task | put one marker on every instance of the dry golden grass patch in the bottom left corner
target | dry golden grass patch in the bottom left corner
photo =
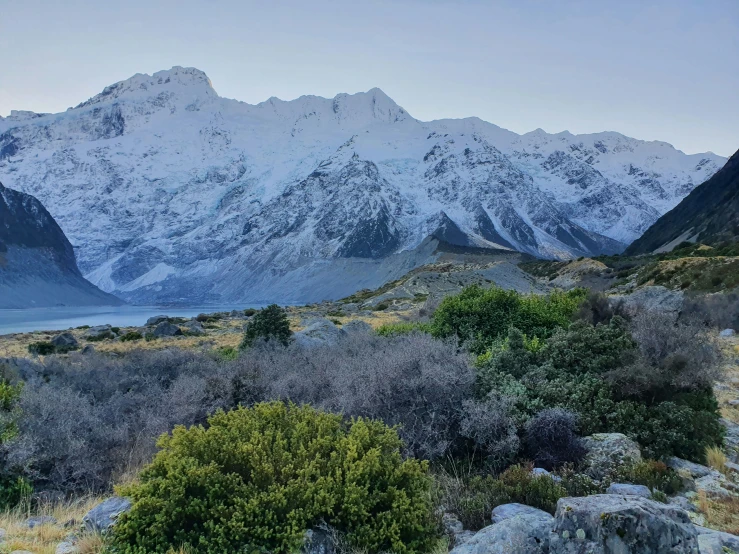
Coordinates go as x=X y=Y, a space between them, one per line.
x=43 y=539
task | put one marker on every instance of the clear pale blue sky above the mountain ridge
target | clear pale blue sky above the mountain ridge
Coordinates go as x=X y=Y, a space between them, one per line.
x=651 y=69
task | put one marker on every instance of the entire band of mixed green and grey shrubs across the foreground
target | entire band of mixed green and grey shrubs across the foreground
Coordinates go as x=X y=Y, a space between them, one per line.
x=494 y=381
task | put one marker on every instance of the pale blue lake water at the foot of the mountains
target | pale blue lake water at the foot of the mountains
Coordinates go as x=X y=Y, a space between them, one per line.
x=54 y=319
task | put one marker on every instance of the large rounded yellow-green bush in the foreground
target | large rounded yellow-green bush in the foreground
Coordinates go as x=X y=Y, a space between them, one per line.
x=257 y=478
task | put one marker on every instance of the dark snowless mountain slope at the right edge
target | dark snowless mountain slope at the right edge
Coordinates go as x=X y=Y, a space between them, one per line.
x=709 y=214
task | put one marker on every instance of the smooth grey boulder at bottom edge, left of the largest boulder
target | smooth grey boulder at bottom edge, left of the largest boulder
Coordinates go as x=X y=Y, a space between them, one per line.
x=526 y=533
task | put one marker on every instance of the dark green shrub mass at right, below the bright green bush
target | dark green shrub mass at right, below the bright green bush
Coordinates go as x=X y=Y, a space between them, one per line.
x=574 y=371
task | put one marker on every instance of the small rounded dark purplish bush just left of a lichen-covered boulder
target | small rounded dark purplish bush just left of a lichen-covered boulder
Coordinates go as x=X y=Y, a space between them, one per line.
x=551 y=440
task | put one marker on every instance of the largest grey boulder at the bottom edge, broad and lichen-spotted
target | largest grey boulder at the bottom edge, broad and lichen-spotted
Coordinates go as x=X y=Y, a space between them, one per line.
x=612 y=524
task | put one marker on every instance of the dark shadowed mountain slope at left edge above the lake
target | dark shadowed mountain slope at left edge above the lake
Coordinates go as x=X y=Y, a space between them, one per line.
x=37 y=265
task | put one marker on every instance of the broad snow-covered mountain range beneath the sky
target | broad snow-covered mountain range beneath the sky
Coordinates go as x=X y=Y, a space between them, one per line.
x=170 y=192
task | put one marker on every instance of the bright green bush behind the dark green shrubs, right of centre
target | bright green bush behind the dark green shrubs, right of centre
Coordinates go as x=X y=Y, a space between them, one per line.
x=480 y=316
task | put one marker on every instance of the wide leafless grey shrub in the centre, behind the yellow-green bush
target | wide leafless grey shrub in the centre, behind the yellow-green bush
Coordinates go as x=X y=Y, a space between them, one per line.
x=414 y=381
